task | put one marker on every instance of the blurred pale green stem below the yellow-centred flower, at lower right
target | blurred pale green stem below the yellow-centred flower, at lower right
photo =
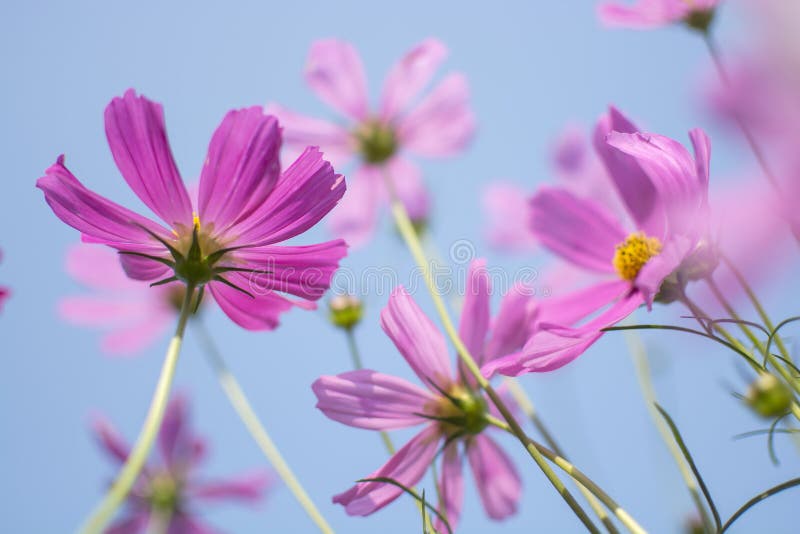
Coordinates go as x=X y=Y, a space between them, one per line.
x=639 y=355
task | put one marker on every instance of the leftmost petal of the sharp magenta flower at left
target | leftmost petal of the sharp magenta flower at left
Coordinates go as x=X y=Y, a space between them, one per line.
x=89 y=213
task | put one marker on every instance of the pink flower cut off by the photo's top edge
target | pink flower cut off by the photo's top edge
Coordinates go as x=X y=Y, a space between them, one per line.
x=646 y=14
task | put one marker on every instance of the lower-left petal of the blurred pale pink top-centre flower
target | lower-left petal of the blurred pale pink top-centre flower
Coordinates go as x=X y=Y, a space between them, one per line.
x=355 y=218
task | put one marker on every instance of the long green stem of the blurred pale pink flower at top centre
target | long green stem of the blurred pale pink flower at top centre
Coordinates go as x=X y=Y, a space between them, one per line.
x=406 y=229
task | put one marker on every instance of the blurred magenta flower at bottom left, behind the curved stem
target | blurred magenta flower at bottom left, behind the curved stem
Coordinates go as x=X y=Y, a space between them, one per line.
x=170 y=490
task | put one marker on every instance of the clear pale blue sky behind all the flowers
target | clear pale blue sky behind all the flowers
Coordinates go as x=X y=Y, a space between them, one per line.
x=533 y=67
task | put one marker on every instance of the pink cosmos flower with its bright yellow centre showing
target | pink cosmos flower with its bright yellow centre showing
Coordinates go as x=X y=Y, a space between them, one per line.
x=652 y=253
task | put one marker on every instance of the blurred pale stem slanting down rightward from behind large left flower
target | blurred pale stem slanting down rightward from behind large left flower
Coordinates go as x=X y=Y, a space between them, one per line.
x=251 y=421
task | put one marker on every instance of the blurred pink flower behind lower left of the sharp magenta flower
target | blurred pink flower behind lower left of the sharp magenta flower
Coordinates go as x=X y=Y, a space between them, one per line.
x=133 y=314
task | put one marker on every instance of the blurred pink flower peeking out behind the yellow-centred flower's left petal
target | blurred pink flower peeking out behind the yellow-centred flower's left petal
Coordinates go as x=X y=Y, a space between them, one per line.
x=577 y=168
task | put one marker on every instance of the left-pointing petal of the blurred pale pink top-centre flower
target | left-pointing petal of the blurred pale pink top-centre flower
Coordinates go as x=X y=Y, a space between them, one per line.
x=300 y=131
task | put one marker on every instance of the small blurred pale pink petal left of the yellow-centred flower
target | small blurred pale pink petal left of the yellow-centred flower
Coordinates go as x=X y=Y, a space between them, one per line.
x=507 y=210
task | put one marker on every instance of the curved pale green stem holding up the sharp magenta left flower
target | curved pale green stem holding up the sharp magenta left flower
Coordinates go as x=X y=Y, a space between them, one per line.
x=152 y=423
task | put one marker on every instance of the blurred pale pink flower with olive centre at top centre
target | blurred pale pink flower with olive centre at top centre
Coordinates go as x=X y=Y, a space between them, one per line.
x=440 y=124
